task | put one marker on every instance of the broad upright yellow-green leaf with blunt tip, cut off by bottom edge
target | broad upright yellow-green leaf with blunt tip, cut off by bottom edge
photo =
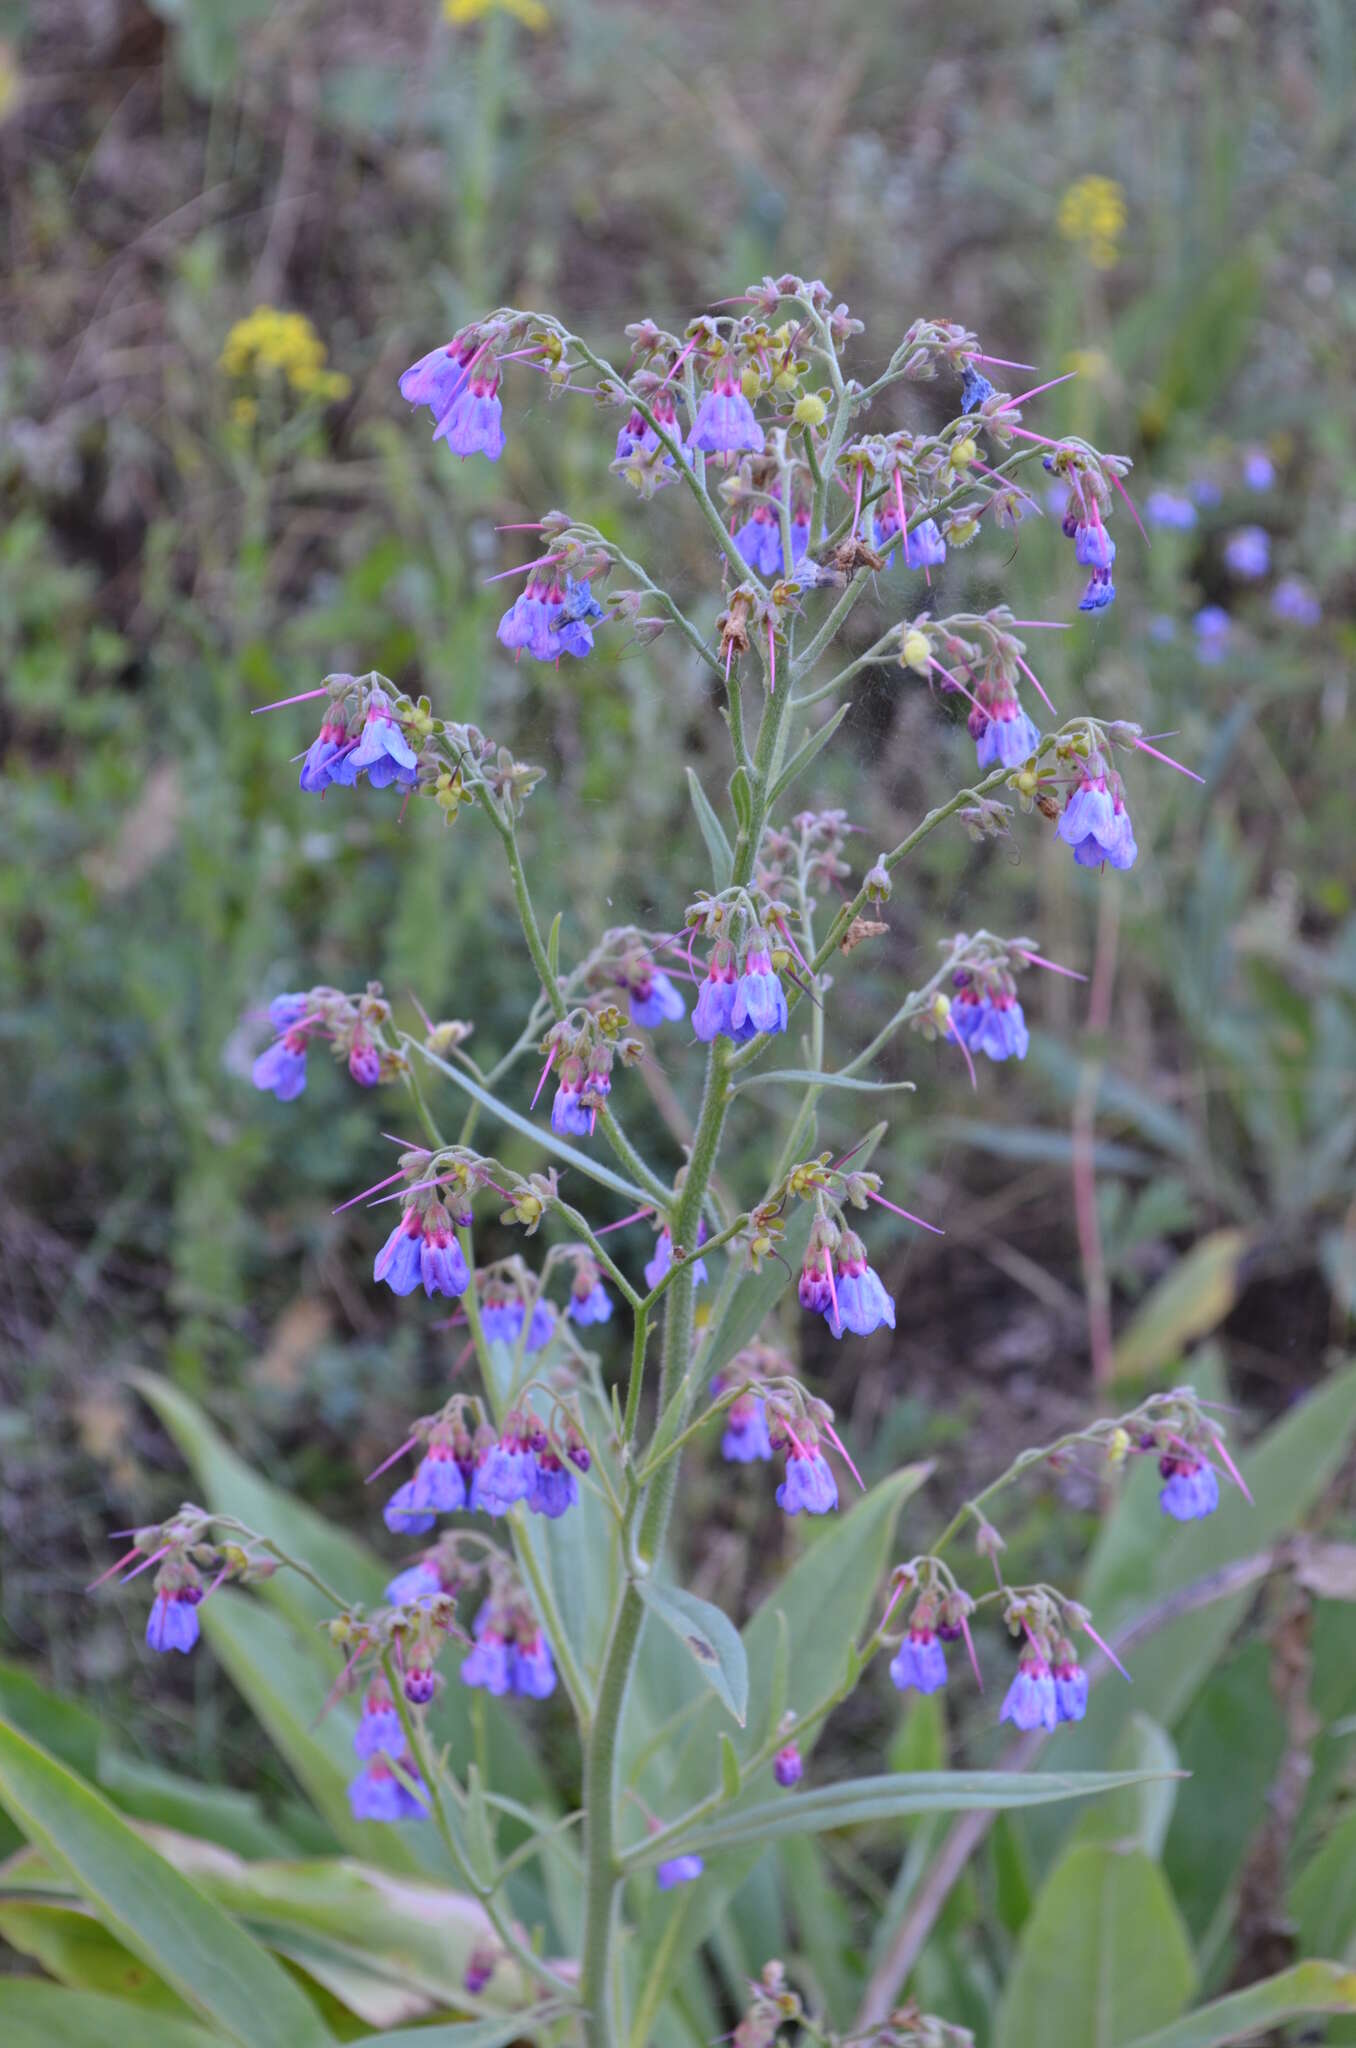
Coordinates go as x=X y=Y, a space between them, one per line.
x=1103 y=1955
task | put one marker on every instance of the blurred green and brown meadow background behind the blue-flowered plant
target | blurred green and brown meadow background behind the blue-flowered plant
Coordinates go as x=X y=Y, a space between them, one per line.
x=167 y=566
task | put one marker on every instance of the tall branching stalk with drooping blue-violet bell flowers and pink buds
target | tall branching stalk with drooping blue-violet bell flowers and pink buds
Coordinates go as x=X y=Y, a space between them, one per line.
x=808 y=505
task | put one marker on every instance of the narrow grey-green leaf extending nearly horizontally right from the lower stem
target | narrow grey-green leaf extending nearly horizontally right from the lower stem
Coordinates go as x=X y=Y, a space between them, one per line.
x=872 y=1801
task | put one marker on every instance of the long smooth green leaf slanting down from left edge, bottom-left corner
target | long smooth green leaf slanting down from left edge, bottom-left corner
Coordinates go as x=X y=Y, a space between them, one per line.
x=198 y=1949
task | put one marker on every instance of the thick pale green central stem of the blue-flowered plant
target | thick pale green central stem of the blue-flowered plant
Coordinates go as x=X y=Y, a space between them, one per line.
x=648 y=1508
